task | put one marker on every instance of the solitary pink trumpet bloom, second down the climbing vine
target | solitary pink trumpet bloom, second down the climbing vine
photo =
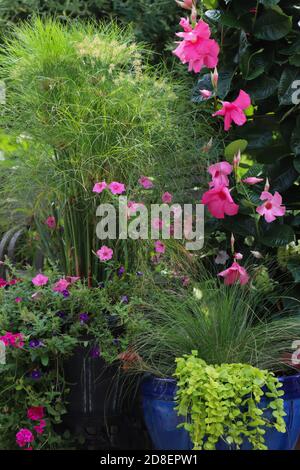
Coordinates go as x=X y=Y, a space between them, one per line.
x=235 y=111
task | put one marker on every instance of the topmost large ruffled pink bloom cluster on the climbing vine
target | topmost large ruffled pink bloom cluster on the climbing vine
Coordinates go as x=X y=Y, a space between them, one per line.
x=196 y=48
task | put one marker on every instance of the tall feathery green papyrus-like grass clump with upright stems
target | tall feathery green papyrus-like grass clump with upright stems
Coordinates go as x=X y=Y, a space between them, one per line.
x=93 y=110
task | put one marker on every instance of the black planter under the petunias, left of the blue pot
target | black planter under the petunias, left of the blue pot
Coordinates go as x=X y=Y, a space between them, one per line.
x=104 y=407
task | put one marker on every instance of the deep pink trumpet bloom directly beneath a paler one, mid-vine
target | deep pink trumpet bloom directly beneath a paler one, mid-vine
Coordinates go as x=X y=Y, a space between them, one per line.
x=219 y=202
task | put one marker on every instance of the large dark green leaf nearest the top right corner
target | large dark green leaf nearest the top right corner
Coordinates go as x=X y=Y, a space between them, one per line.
x=272 y=26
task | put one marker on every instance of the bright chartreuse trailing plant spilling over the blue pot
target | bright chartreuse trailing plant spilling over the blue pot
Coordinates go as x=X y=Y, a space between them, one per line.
x=227 y=402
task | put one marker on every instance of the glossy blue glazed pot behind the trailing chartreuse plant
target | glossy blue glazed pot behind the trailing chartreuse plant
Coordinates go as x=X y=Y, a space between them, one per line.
x=162 y=420
